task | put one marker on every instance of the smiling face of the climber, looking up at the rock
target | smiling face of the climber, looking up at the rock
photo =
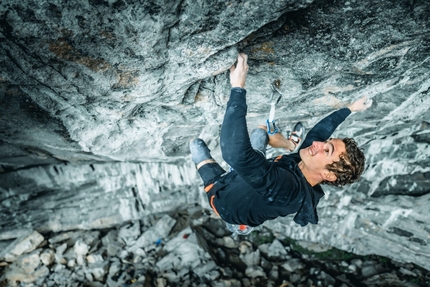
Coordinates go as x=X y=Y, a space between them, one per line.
x=317 y=156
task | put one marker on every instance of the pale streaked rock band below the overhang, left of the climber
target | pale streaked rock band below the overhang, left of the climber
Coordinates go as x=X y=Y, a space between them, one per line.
x=67 y=197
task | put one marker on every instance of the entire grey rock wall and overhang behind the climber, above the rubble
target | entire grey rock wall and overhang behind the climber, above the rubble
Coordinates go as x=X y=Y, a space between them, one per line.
x=106 y=81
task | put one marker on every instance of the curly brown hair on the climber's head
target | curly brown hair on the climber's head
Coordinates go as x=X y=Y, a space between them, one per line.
x=350 y=166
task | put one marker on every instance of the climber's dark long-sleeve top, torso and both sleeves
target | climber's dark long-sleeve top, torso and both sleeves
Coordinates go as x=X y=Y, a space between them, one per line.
x=259 y=189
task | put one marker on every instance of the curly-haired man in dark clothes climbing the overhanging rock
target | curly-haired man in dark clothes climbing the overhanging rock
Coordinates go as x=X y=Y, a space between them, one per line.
x=258 y=189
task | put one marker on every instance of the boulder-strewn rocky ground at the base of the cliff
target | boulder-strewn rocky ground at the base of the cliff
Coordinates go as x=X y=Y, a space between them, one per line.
x=191 y=247
